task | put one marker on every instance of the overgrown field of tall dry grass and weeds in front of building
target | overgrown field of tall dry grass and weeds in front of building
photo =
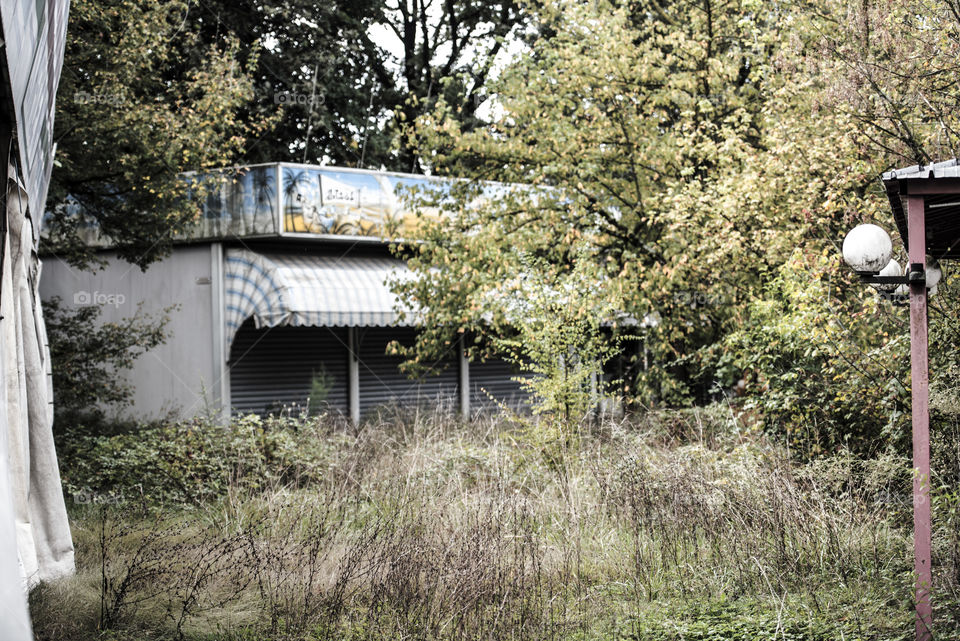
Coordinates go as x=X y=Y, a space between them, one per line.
x=676 y=526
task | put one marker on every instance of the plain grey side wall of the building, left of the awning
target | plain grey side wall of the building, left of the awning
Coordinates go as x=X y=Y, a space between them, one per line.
x=183 y=375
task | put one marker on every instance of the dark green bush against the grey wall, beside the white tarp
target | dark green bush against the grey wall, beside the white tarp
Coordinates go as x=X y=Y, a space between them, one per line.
x=87 y=358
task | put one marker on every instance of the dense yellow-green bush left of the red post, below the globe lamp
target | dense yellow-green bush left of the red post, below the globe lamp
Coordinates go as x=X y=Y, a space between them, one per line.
x=824 y=362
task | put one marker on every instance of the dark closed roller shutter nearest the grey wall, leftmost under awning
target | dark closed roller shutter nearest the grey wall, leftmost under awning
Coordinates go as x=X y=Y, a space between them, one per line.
x=272 y=369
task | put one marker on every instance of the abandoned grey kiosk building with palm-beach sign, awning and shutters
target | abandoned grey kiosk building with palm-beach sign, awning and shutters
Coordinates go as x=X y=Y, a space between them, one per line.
x=280 y=298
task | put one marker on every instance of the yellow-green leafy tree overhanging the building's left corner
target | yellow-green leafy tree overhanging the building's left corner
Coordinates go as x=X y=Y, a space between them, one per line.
x=141 y=100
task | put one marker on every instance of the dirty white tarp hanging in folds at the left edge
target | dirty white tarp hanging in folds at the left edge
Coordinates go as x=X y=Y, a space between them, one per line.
x=33 y=517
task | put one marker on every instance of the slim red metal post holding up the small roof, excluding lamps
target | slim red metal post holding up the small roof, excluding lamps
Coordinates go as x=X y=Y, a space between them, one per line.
x=919 y=366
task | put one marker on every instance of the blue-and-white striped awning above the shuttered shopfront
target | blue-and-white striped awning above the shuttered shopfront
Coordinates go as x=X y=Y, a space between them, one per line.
x=317 y=291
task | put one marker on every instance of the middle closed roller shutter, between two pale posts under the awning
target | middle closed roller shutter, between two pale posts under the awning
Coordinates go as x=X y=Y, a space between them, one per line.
x=383 y=384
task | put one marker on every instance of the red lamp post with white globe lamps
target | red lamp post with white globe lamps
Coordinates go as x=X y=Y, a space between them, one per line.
x=867 y=249
